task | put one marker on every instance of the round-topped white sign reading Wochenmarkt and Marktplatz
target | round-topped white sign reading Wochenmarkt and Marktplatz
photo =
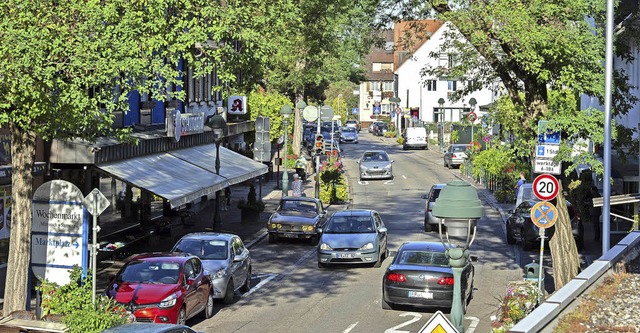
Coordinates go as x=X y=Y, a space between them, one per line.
x=60 y=231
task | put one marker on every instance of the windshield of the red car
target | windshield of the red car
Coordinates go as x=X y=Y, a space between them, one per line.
x=150 y=272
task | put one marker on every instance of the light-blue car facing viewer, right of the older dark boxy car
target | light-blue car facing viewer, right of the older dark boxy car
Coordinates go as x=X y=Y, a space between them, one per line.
x=353 y=236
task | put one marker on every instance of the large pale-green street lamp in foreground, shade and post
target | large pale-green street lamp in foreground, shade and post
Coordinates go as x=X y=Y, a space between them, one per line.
x=458 y=209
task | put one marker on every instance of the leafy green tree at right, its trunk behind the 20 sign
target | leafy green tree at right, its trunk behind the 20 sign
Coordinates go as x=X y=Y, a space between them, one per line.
x=530 y=48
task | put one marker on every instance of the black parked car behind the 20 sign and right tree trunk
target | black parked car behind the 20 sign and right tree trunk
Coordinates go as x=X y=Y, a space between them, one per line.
x=521 y=228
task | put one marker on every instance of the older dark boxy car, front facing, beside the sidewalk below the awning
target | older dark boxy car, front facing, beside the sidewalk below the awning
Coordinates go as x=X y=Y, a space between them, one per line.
x=297 y=217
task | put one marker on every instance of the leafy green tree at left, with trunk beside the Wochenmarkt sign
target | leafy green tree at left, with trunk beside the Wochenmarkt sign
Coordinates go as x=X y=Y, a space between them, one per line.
x=54 y=53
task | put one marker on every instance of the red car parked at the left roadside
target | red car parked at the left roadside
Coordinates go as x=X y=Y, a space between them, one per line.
x=163 y=287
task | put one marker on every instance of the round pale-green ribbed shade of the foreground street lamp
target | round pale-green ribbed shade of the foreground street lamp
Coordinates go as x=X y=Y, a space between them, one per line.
x=458 y=200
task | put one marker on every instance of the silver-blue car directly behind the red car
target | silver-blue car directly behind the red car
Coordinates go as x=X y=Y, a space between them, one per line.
x=224 y=256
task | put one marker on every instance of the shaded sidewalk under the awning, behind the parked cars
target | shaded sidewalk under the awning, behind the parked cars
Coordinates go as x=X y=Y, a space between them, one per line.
x=202 y=220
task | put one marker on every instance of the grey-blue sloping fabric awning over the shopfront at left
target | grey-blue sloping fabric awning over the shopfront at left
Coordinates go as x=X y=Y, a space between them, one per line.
x=184 y=175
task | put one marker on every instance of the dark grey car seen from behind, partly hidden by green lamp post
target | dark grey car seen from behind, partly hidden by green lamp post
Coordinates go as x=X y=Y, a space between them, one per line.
x=420 y=276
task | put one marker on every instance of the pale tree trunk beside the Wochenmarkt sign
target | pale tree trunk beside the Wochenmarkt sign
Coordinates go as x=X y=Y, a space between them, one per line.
x=23 y=146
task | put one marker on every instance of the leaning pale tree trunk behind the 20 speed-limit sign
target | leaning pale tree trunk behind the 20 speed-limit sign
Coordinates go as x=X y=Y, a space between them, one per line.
x=564 y=252
